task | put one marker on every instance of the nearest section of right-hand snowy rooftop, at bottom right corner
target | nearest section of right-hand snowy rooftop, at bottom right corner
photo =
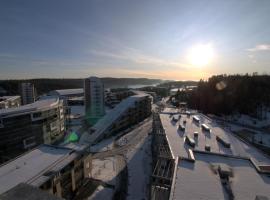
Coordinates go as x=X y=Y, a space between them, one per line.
x=201 y=180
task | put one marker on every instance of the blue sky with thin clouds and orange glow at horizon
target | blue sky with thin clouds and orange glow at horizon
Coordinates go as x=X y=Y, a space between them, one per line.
x=127 y=38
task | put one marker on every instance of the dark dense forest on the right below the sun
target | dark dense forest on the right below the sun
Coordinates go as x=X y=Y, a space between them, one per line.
x=227 y=94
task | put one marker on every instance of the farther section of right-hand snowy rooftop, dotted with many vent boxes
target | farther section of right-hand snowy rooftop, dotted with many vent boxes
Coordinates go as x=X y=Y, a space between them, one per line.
x=179 y=147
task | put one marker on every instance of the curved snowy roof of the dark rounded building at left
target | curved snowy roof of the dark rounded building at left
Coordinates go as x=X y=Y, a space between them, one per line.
x=38 y=105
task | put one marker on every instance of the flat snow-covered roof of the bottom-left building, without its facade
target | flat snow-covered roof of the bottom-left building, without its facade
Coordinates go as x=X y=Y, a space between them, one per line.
x=31 y=167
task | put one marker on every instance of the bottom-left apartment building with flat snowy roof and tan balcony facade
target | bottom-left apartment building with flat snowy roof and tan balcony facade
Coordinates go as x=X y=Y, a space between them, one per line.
x=54 y=169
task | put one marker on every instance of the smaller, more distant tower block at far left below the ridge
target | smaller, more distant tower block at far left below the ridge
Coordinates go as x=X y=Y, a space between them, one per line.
x=28 y=93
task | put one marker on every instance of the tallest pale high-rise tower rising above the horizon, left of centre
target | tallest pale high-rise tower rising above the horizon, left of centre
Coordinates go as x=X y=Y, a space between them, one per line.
x=94 y=99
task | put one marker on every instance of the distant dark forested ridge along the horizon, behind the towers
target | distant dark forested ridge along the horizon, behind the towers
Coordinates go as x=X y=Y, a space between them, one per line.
x=46 y=85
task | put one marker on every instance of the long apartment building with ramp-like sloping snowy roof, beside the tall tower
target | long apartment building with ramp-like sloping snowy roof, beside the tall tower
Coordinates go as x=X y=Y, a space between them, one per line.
x=127 y=113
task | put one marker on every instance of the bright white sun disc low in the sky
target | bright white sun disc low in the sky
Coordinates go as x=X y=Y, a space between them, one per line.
x=200 y=55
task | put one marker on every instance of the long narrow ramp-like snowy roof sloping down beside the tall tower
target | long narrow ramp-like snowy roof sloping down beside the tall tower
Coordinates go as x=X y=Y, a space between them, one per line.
x=104 y=123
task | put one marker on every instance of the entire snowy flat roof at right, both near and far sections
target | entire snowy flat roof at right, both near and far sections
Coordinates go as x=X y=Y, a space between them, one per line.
x=196 y=180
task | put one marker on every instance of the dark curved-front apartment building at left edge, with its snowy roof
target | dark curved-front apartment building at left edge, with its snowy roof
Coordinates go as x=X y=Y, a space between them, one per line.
x=23 y=128
